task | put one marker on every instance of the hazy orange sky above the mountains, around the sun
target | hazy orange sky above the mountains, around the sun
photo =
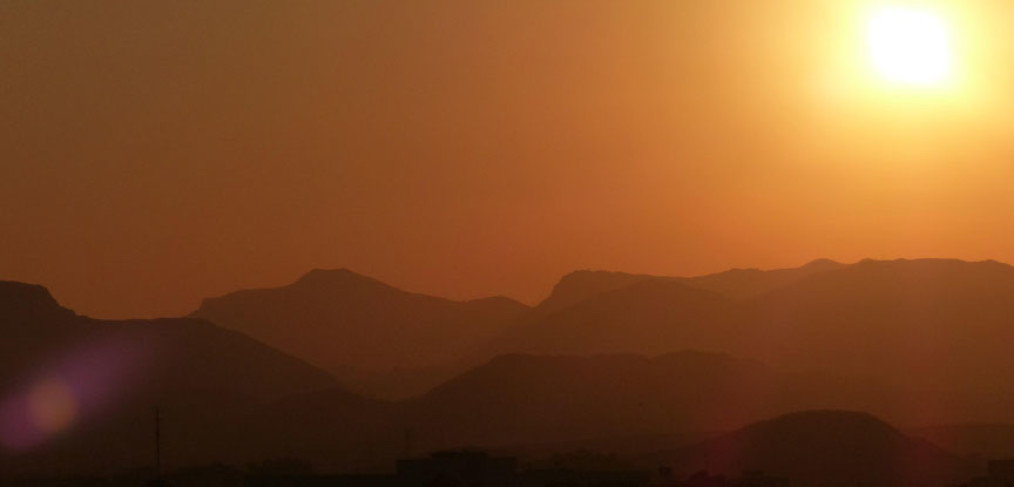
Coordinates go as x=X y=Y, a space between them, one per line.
x=158 y=153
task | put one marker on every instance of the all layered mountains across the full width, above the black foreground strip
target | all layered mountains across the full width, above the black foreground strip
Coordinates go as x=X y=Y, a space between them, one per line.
x=346 y=372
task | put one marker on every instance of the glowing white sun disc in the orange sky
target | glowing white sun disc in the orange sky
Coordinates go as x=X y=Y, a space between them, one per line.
x=910 y=46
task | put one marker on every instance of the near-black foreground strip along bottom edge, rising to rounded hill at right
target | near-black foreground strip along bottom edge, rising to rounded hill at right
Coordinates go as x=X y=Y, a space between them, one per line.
x=813 y=448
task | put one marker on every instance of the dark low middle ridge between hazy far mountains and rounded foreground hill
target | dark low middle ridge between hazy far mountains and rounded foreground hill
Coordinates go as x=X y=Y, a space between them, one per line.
x=531 y=405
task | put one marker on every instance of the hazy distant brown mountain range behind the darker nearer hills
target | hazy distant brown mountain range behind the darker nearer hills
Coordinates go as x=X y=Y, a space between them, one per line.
x=934 y=326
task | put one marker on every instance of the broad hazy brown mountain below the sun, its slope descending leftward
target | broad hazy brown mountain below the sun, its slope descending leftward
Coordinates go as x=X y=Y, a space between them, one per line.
x=939 y=327
